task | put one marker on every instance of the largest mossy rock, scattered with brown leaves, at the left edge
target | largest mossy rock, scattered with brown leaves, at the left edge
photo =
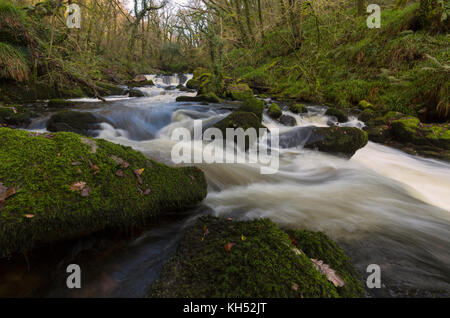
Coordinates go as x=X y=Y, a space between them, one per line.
x=66 y=185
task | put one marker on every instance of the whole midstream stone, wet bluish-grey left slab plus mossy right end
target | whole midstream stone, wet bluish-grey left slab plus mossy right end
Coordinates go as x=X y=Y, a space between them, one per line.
x=343 y=141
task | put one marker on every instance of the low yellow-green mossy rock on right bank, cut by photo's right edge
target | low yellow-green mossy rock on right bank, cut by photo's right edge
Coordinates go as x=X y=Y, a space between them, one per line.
x=411 y=130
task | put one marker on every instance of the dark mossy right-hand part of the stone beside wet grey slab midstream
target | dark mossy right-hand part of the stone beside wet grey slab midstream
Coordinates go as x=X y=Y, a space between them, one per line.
x=337 y=140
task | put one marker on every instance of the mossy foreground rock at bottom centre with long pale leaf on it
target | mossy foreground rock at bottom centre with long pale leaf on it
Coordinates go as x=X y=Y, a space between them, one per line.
x=256 y=259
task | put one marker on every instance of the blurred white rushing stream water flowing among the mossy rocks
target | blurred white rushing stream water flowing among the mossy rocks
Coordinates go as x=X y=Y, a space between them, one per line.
x=383 y=206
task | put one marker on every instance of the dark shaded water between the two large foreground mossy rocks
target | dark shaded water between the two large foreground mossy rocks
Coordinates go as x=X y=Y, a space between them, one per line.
x=113 y=264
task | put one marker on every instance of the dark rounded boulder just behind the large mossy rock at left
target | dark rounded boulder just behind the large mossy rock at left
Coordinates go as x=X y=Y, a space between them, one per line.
x=70 y=121
